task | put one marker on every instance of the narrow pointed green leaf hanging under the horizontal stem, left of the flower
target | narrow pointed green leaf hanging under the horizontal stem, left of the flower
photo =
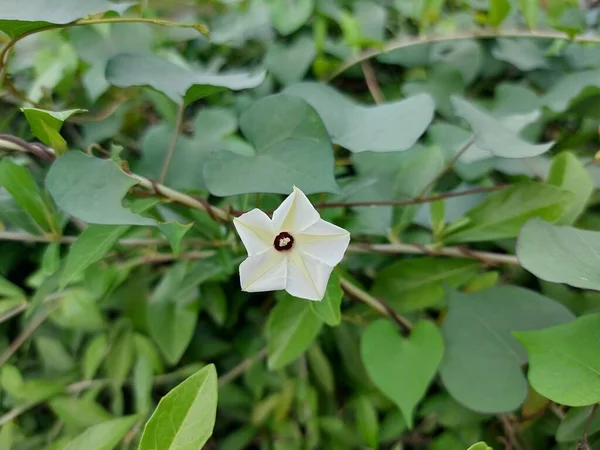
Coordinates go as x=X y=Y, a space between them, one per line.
x=90 y=247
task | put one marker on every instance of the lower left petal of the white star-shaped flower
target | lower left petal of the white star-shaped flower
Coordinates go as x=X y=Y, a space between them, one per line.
x=266 y=271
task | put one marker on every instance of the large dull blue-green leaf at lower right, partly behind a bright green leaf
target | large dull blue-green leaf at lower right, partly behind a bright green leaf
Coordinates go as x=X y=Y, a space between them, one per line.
x=482 y=363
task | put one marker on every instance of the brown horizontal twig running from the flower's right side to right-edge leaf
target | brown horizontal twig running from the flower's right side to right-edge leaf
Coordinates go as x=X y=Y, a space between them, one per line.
x=415 y=249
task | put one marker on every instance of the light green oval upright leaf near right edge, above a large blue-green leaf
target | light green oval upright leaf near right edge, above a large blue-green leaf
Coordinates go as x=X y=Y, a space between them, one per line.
x=568 y=172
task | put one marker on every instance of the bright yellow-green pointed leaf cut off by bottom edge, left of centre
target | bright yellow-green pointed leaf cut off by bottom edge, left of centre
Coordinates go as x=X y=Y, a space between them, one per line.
x=185 y=417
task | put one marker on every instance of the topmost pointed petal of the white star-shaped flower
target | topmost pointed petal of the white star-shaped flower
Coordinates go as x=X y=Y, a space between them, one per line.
x=295 y=214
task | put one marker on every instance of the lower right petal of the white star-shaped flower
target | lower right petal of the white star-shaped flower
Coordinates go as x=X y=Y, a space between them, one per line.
x=307 y=277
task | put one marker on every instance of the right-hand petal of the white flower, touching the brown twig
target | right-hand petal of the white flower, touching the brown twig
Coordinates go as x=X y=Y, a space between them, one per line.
x=324 y=241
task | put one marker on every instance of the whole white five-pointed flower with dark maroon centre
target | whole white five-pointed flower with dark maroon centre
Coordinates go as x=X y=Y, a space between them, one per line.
x=295 y=251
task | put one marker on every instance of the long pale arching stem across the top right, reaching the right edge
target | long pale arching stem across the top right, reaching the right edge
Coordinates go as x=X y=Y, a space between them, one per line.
x=479 y=34
